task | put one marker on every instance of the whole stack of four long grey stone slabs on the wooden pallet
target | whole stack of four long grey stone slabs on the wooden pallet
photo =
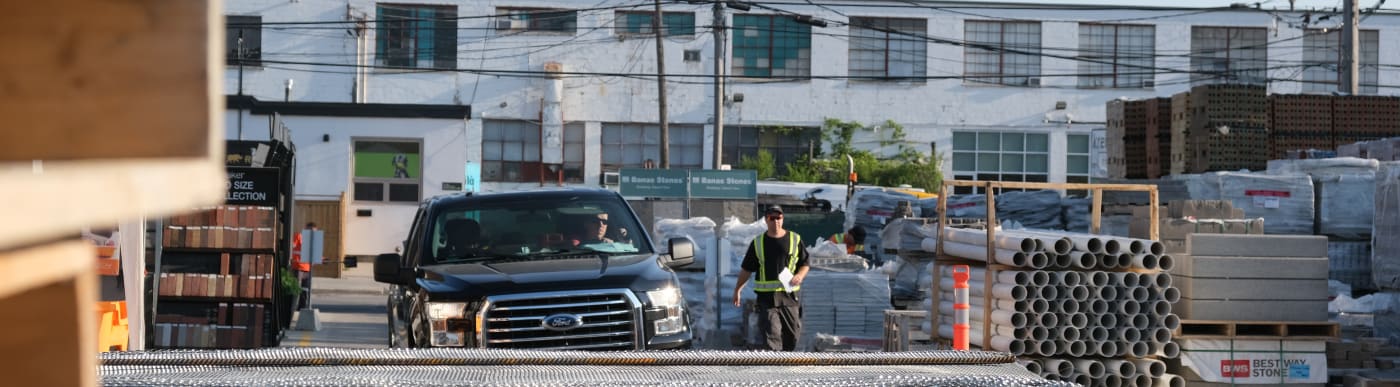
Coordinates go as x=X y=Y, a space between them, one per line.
x=1254 y=278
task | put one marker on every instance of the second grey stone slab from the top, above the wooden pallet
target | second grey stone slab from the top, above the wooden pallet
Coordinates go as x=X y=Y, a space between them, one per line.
x=1251 y=267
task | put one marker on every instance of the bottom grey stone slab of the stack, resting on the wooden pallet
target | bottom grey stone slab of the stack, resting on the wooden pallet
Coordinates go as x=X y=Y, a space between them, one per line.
x=1248 y=311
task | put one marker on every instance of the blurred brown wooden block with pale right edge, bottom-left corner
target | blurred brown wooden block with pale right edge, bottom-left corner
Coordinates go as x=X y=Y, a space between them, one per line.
x=51 y=330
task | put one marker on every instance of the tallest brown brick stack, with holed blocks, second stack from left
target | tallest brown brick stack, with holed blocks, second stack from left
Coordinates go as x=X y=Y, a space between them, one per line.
x=1227 y=128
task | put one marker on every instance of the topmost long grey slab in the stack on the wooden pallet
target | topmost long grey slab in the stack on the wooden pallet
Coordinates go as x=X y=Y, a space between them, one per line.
x=1256 y=246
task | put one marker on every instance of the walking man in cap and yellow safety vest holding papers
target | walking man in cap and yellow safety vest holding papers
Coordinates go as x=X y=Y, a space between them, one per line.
x=775 y=259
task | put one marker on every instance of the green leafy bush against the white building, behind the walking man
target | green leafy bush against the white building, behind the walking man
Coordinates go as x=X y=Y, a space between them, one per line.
x=906 y=166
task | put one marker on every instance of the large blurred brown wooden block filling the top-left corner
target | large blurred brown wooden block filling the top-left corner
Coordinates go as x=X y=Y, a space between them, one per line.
x=132 y=79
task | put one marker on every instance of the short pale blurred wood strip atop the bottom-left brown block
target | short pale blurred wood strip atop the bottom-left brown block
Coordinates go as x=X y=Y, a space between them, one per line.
x=29 y=269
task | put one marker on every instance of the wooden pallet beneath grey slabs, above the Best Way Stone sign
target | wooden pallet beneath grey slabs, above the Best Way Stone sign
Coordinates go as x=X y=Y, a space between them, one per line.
x=1293 y=330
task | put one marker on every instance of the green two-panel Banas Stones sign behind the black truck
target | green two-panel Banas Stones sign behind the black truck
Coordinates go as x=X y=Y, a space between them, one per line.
x=703 y=184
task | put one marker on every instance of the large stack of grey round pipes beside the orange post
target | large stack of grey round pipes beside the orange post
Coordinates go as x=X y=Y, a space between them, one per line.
x=1081 y=308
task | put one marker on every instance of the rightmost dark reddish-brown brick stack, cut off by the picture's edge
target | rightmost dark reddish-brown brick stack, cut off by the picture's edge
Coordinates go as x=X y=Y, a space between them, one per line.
x=1359 y=118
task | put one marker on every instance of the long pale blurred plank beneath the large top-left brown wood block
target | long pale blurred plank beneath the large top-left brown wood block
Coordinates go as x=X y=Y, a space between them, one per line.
x=69 y=196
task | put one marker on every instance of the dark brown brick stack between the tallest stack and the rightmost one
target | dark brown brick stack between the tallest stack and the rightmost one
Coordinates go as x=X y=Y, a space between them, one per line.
x=1300 y=123
